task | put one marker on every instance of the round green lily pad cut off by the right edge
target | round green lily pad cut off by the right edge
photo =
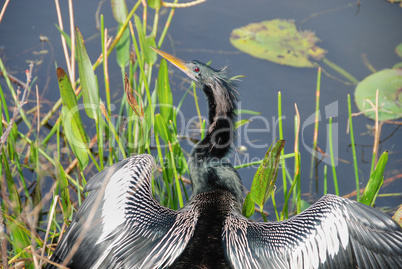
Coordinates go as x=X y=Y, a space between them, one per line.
x=389 y=84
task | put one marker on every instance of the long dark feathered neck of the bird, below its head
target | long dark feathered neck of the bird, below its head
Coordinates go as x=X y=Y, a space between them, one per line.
x=209 y=166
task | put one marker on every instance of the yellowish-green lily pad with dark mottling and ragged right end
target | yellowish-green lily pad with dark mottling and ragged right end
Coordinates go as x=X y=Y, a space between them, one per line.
x=278 y=41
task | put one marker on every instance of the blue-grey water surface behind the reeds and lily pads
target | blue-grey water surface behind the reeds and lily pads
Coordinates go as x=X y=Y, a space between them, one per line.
x=202 y=33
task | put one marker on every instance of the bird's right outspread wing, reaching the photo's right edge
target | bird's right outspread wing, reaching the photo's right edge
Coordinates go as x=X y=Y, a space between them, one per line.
x=333 y=233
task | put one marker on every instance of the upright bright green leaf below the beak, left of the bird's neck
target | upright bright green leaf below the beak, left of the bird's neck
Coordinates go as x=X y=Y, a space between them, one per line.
x=164 y=93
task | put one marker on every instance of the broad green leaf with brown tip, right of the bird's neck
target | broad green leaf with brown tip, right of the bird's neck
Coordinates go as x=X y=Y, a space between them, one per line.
x=265 y=177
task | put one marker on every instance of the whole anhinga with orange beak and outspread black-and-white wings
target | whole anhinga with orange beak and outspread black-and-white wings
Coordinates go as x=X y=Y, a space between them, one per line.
x=121 y=225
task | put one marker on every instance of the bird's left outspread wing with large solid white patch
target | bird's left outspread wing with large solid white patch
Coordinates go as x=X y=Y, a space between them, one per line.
x=121 y=225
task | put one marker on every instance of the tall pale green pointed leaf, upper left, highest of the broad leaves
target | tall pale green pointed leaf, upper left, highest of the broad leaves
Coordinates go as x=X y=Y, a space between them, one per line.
x=89 y=85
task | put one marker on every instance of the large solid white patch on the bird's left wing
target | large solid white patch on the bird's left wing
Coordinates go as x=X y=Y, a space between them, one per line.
x=114 y=199
